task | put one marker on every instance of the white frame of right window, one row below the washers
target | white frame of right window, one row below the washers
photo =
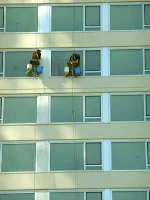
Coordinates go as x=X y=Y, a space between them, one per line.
x=129 y=94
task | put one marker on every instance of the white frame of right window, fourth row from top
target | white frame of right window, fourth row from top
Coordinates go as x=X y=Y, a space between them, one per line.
x=134 y=141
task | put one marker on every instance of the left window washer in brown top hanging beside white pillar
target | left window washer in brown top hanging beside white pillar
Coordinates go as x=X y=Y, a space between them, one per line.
x=35 y=62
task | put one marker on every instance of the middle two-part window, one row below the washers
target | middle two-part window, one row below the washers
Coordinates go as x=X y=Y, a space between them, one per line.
x=73 y=109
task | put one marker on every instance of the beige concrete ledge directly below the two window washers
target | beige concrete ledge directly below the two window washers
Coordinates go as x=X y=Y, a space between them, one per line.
x=62 y=85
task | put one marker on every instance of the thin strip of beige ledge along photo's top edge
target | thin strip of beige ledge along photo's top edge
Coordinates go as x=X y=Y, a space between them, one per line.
x=63 y=1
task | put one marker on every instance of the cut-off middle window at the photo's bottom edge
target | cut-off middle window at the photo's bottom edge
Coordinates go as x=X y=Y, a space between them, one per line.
x=76 y=195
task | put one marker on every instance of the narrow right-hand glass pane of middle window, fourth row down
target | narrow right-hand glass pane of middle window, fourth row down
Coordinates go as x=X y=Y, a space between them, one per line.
x=93 y=153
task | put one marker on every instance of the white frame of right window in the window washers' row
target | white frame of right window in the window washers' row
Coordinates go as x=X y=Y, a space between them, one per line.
x=133 y=48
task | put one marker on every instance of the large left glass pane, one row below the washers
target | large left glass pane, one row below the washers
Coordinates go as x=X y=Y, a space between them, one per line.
x=20 y=109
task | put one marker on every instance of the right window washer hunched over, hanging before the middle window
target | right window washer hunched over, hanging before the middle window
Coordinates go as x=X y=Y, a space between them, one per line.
x=73 y=63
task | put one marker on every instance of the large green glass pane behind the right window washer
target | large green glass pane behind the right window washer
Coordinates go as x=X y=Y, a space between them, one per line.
x=60 y=59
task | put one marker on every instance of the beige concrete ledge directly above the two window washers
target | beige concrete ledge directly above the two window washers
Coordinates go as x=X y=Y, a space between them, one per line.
x=75 y=40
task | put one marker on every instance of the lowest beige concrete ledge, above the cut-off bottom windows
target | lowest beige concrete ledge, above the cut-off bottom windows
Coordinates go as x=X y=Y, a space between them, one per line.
x=84 y=180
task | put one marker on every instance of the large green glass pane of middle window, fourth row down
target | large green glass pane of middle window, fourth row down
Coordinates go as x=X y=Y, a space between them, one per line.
x=66 y=157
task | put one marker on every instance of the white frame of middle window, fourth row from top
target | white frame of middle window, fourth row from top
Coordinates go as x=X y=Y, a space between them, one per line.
x=84 y=154
